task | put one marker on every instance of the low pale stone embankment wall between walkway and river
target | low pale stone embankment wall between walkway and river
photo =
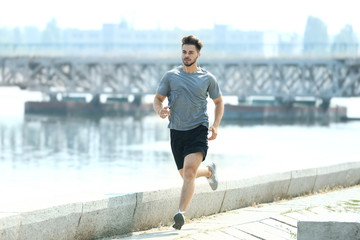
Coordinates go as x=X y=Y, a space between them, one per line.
x=125 y=213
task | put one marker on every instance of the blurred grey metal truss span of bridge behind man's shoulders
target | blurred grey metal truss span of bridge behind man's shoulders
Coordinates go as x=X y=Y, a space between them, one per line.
x=284 y=79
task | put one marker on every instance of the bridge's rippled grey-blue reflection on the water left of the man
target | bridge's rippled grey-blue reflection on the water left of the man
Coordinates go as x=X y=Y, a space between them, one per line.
x=45 y=140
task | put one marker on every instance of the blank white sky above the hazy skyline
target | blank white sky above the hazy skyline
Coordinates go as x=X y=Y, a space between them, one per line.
x=265 y=15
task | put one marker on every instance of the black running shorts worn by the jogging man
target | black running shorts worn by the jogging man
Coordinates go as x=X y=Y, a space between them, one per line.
x=184 y=143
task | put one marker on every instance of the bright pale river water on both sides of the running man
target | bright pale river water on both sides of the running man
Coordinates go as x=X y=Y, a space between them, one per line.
x=43 y=156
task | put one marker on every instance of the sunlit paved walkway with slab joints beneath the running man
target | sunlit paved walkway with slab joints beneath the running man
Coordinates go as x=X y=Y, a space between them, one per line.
x=277 y=220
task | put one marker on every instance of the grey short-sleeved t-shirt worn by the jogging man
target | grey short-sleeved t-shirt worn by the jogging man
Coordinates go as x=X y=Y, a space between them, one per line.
x=187 y=94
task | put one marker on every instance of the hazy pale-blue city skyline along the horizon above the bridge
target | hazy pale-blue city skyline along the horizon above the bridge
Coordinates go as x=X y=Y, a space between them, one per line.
x=222 y=41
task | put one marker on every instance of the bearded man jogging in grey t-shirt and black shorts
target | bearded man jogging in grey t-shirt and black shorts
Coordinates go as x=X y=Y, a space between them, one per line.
x=187 y=88
